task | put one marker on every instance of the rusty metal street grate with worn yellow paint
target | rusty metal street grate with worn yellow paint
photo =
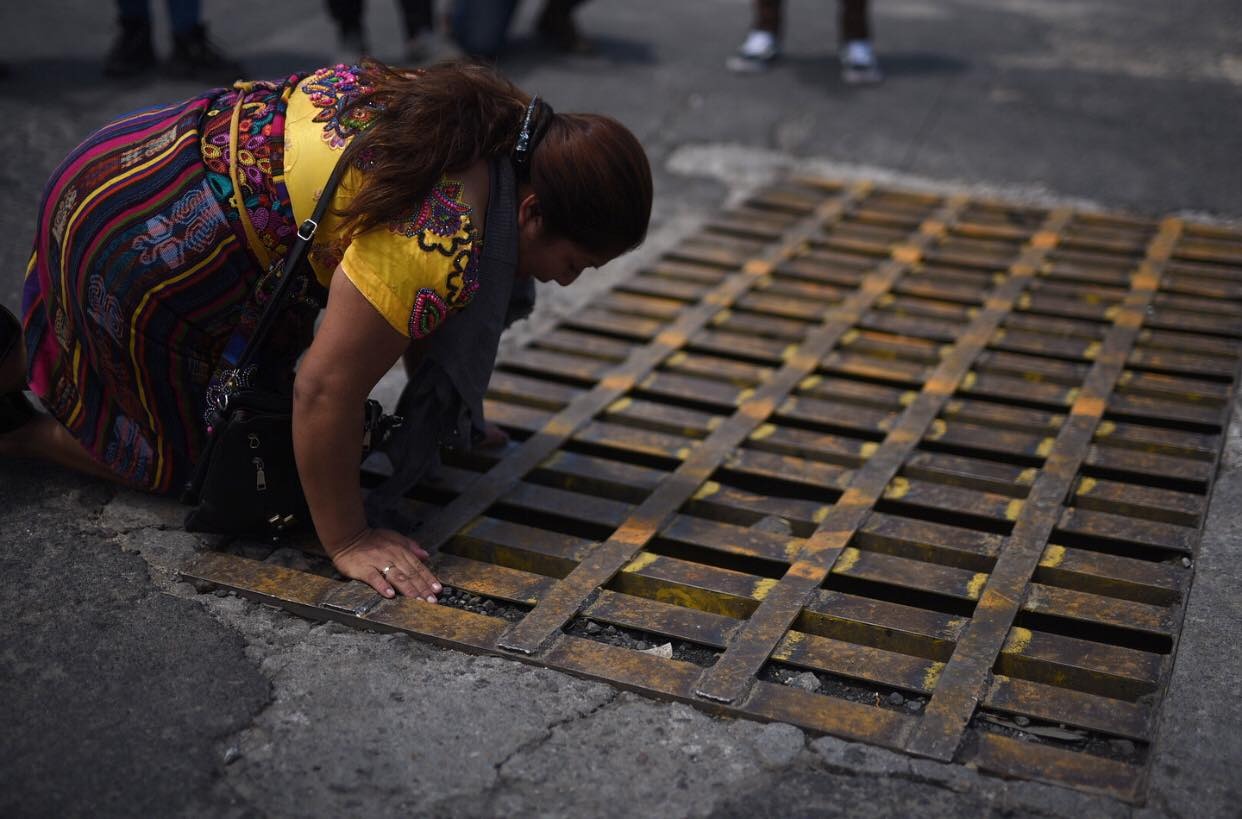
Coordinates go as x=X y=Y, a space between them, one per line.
x=950 y=457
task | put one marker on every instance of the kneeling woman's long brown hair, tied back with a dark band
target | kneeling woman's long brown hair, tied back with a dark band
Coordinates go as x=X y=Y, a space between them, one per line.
x=589 y=172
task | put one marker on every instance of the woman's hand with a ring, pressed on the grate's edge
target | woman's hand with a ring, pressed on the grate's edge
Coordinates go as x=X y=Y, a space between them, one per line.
x=373 y=551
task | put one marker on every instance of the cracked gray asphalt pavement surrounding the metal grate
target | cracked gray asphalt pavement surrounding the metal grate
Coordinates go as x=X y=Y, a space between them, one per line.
x=125 y=693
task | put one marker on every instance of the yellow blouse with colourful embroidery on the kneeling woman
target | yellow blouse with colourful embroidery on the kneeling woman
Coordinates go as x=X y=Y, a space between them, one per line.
x=415 y=272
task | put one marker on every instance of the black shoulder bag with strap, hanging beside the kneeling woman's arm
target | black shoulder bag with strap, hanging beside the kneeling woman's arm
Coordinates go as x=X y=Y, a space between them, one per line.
x=247 y=480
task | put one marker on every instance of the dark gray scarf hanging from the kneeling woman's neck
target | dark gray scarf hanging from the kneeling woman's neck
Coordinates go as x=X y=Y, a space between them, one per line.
x=443 y=406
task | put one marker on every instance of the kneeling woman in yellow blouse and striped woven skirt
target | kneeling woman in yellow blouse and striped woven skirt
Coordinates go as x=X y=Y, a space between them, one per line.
x=155 y=237
